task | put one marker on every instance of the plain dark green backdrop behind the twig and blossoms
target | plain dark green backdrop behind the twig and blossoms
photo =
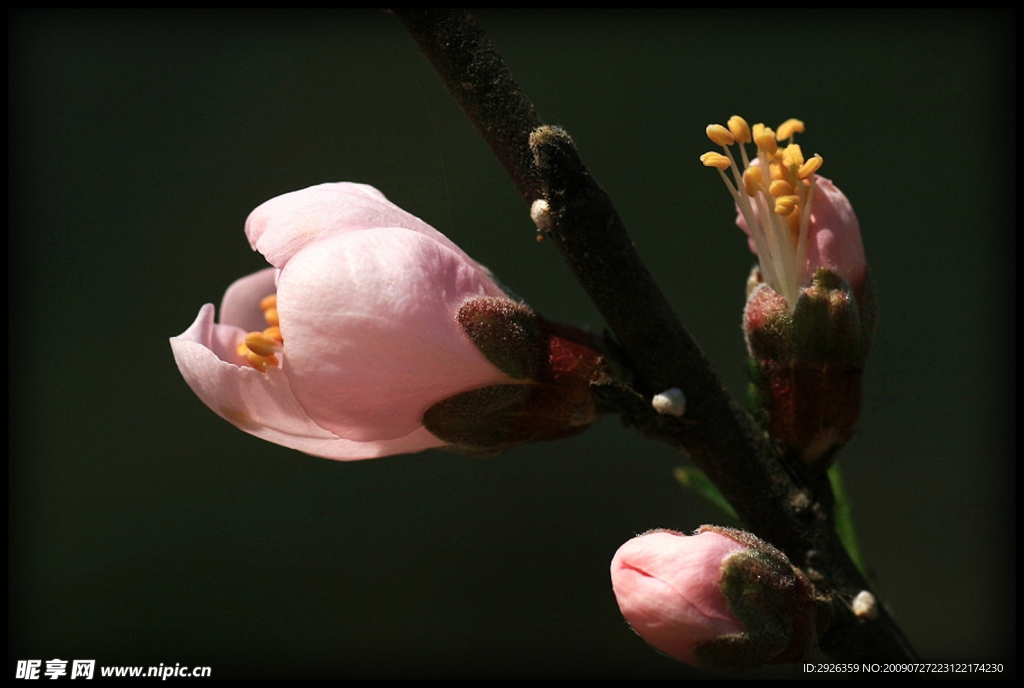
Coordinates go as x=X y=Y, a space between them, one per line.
x=145 y=530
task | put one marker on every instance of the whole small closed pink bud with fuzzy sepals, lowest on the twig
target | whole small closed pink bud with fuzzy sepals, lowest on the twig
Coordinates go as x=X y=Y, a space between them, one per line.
x=721 y=599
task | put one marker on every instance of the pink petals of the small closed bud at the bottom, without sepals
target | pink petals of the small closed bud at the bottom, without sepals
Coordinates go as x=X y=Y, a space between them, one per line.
x=668 y=588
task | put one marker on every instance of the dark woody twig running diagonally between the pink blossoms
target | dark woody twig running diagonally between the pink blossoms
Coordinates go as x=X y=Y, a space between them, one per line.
x=777 y=500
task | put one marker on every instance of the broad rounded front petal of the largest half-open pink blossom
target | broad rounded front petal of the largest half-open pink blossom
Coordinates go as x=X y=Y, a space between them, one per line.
x=371 y=340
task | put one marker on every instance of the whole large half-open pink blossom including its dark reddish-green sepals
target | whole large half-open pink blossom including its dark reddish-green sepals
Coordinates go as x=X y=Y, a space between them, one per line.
x=374 y=334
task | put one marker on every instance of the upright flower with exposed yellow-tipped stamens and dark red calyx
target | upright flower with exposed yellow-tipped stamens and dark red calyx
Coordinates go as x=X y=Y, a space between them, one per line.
x=810 y=312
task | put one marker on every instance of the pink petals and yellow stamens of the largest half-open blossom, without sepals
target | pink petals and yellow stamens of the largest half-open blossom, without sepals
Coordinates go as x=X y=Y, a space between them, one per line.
x=362 y=338
